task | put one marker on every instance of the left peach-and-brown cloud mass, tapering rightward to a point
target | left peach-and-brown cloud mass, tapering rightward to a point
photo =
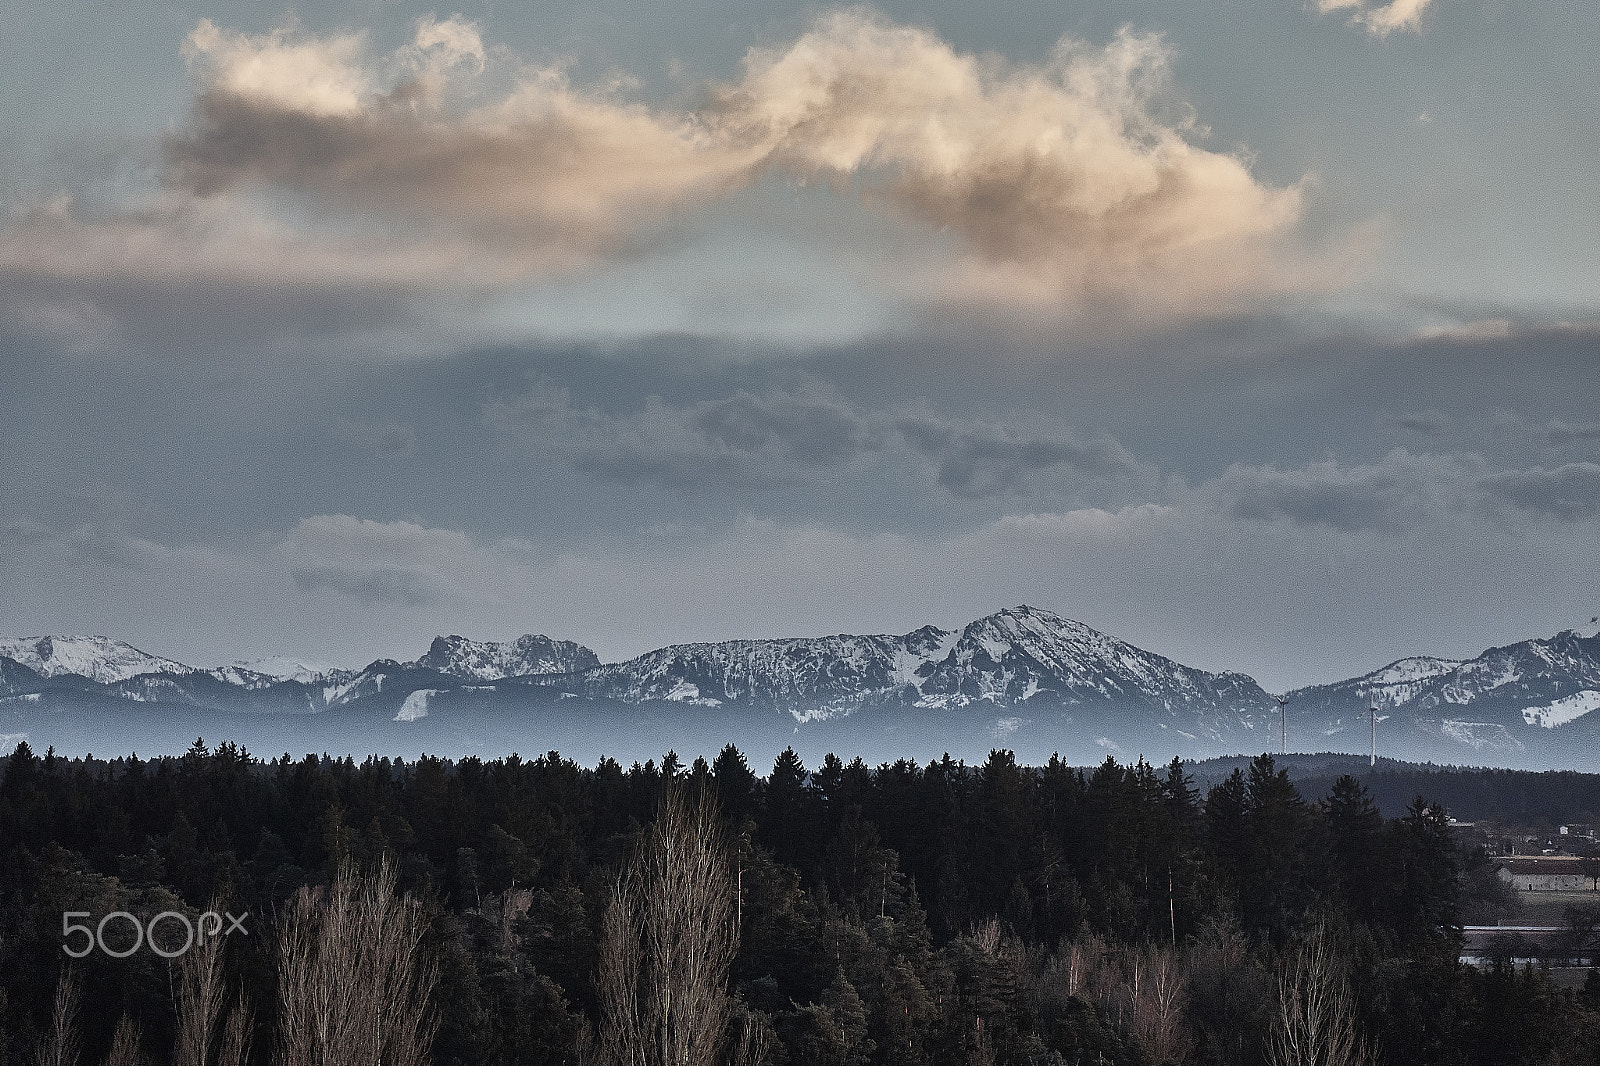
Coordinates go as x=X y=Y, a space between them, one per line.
x=550 y=172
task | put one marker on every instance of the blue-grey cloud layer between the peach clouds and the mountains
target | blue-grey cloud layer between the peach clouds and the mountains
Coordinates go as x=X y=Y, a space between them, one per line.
x=1266 y=511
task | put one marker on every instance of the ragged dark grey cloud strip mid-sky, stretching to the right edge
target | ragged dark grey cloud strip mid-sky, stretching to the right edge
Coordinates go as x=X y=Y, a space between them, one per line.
x=793 y=439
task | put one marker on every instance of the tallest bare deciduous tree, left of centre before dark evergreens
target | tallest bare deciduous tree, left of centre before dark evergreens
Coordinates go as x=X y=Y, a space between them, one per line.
x=668 y=944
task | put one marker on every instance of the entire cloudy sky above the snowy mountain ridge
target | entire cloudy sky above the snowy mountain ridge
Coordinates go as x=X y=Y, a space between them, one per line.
x=1260 y=334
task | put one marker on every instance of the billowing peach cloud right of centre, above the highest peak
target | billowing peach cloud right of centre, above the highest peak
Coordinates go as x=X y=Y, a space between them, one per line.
x=1076 y=178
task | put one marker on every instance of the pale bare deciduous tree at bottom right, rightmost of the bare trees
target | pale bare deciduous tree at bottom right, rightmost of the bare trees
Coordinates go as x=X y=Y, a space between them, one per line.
x=1316 y=1011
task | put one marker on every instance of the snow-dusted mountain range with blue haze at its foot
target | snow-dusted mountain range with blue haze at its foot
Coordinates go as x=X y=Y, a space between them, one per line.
x=1022 y=678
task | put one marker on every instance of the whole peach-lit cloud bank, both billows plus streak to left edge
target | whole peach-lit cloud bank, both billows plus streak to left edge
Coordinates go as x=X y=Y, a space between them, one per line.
x=319 y=186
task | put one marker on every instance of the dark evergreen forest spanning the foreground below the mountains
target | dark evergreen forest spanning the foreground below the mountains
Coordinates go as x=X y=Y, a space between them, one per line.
x=900 y=915
